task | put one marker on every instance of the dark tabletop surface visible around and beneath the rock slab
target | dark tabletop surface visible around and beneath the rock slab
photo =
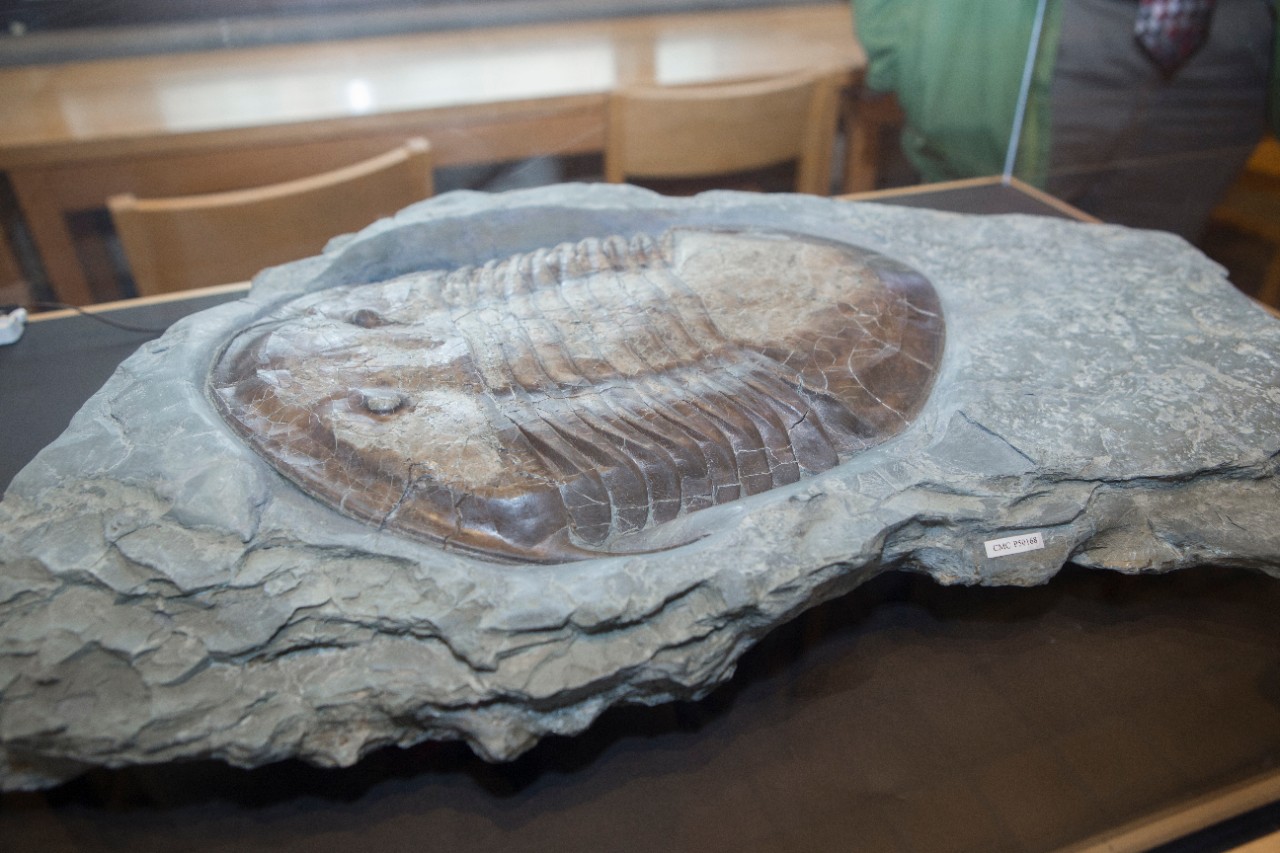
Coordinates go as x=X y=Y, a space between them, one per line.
x=902 y=718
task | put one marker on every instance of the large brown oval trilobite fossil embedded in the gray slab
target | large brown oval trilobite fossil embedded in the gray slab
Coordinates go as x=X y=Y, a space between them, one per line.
x=564 y=404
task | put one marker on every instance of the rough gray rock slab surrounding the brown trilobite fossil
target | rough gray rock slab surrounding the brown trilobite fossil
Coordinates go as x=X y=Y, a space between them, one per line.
x=167 y=595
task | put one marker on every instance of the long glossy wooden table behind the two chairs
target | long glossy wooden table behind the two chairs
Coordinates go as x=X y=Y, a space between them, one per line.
x=71 y=135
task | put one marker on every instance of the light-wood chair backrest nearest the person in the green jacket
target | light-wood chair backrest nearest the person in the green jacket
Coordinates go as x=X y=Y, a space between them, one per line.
x=680 y=133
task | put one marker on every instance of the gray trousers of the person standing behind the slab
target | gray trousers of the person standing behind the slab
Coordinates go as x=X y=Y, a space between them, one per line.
x=1136 y=149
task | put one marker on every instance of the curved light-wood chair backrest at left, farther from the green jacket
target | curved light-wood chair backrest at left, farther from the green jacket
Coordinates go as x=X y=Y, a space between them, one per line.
x=196 y=241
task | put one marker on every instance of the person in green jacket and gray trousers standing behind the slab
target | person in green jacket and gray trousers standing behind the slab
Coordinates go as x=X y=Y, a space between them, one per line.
x=1114 y=126
